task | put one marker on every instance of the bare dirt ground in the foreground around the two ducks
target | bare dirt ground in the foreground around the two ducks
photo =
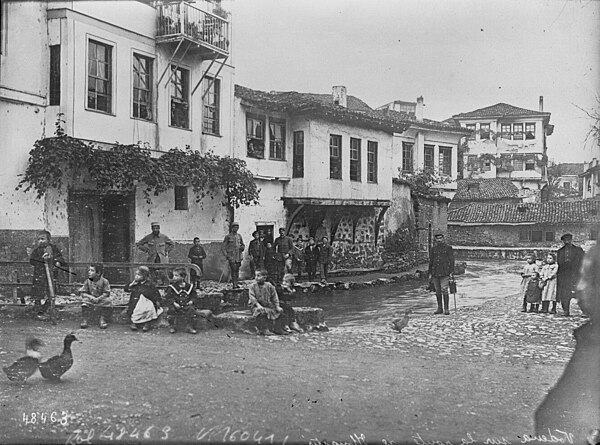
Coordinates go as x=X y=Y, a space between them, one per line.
x=220 y=386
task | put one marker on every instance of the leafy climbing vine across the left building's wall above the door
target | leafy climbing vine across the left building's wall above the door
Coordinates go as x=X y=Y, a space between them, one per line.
x=55 y=161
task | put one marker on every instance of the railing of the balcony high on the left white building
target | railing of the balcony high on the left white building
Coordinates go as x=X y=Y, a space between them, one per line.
x=182 y=19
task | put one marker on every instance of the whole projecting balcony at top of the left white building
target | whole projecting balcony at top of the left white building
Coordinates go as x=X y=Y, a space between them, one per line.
x=177 y=21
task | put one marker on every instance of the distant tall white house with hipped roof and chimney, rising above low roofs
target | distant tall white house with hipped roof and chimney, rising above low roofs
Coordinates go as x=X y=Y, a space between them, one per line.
x=507 y=142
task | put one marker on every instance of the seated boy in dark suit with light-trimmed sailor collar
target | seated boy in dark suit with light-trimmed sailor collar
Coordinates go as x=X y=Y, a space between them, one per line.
x=180 y=301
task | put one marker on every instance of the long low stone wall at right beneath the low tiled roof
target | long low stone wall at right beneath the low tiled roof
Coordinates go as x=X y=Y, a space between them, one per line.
x=508 y=236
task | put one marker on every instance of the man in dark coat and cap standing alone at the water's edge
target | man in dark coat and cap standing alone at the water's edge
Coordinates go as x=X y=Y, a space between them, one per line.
x=441 y=268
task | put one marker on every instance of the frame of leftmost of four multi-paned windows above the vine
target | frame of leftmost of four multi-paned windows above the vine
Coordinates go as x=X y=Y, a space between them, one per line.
x=109 y=47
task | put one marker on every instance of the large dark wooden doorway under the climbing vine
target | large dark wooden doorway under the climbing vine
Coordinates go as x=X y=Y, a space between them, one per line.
x=100 y=230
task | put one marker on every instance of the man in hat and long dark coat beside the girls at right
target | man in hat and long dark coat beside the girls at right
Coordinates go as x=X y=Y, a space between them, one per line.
x=569 y=259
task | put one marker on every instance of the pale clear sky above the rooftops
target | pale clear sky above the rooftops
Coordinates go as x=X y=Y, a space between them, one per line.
x=460 y=55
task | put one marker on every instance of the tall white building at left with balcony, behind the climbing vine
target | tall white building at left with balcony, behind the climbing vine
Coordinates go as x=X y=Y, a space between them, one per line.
x=128 y=72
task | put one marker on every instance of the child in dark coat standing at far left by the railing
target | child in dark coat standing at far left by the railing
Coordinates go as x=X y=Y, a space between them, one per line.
x=44 y=253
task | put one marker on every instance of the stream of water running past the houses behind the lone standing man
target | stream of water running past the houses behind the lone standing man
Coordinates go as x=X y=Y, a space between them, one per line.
x=483 y=280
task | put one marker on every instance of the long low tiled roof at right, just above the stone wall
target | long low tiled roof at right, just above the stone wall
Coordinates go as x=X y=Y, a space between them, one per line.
x=559 y=212
